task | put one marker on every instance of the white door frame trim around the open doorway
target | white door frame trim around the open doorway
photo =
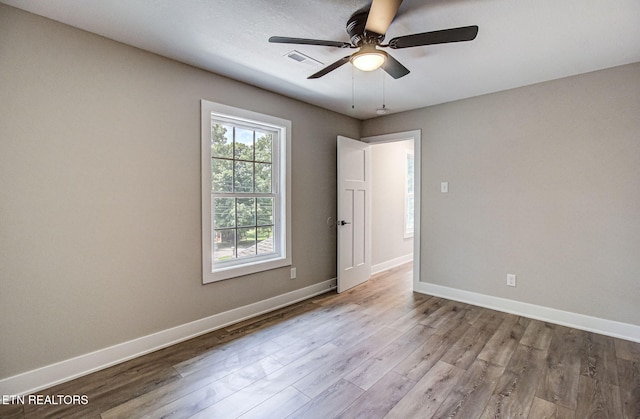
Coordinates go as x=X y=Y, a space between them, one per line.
x=414 y=135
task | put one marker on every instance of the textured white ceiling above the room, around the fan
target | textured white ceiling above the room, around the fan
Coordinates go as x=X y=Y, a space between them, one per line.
x=519 y=43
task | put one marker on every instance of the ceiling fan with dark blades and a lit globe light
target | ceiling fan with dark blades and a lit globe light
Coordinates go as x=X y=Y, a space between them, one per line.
x=367 y=29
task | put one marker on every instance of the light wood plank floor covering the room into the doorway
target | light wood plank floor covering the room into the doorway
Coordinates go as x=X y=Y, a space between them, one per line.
x=376 y=351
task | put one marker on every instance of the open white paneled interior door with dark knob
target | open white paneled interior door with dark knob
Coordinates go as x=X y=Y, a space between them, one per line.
x=354 y=206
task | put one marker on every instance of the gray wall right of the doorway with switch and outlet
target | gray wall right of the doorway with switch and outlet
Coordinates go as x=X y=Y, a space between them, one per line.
x=544 y=182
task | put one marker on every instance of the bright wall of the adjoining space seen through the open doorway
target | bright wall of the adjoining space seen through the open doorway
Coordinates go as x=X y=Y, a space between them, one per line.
x=388 y=161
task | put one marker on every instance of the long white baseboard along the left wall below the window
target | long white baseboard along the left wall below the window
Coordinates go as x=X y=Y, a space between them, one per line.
x=50 y=375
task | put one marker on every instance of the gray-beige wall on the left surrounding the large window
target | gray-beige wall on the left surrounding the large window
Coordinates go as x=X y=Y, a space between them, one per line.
x=100 y=193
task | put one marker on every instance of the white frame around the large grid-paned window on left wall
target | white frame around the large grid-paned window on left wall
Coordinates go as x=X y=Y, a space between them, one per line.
x=282 y=182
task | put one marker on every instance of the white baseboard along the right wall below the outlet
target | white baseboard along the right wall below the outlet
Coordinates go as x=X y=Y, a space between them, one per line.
x=565 y=318
